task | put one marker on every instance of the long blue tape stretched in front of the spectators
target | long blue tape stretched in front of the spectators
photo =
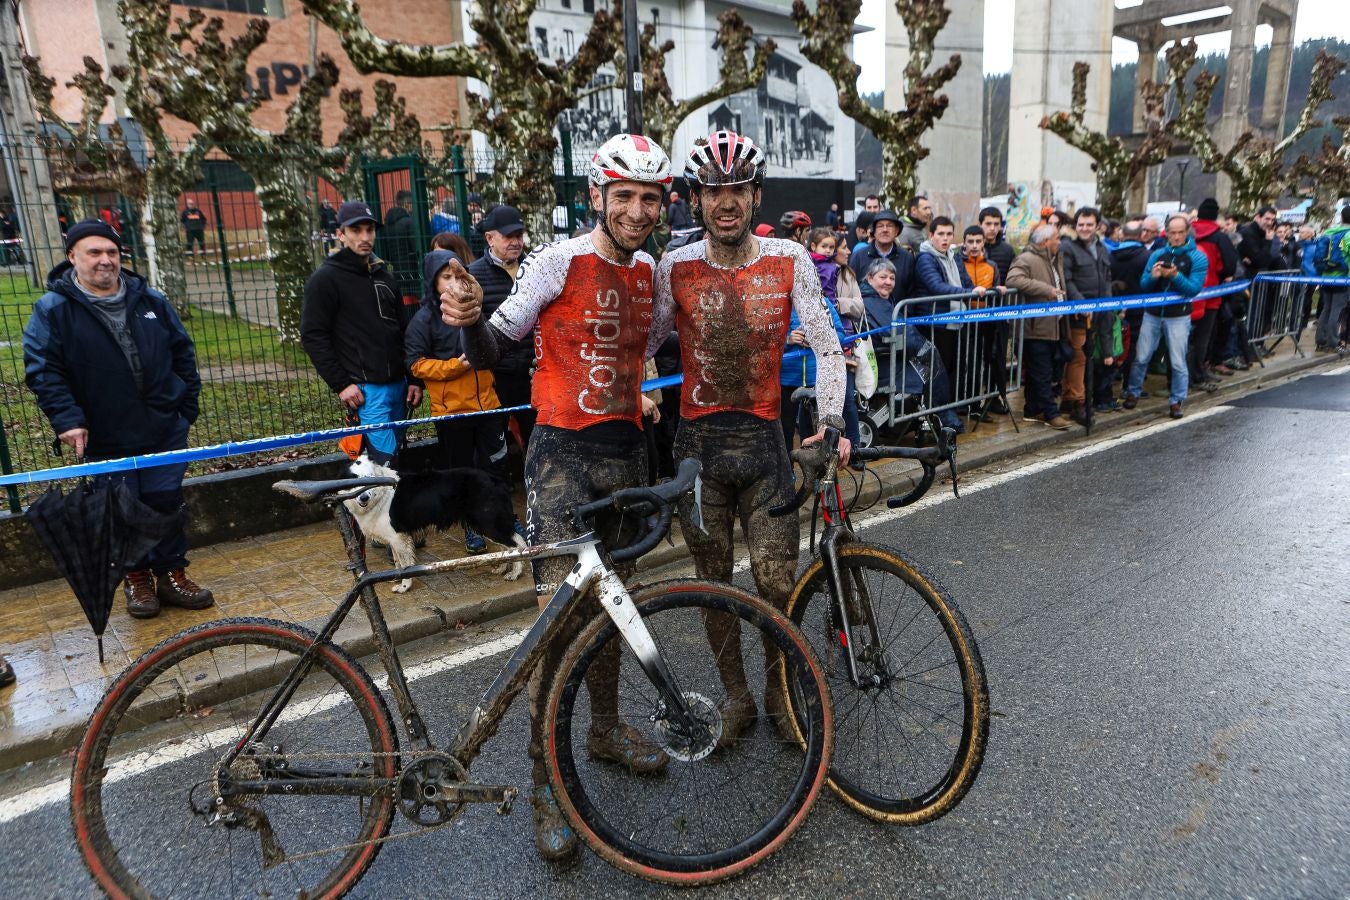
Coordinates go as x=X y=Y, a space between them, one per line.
x=1002 y=314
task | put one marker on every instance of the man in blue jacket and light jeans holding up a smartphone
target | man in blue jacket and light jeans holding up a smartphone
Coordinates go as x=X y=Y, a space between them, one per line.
x=1178 y=268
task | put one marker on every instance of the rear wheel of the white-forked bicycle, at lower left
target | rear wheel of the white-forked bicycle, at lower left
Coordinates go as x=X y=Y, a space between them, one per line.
x=144 y=791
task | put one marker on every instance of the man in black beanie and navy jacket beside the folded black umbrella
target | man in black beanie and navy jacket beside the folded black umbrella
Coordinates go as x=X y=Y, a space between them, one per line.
x=115 y=373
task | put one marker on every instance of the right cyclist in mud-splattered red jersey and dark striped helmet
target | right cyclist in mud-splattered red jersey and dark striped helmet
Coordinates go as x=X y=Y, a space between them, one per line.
x=732 y=298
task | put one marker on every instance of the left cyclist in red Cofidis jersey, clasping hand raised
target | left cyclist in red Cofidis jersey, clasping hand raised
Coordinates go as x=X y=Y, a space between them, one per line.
x=588 y=303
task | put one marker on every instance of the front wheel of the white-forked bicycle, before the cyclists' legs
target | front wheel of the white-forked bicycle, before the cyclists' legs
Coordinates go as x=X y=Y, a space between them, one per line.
x=712 y=805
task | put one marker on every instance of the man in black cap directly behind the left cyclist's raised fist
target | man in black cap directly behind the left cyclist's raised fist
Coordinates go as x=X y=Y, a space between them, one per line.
x=496 y=273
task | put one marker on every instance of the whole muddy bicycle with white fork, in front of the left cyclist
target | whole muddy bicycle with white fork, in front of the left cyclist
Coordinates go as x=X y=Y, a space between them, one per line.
x=256 y=756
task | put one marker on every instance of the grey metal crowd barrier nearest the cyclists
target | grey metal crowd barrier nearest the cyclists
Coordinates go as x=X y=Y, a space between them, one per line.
x=938 y=369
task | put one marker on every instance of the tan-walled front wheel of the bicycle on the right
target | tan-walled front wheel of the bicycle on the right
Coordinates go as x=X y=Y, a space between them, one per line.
x=909 y=741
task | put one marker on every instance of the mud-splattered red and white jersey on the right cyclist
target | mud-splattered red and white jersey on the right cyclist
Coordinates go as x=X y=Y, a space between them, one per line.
x=734 y=323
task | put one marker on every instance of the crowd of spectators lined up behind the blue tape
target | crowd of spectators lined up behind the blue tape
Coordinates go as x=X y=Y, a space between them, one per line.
x=373 y=330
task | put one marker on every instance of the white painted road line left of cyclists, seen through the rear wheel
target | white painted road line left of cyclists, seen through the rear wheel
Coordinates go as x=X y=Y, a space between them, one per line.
x=145 y=762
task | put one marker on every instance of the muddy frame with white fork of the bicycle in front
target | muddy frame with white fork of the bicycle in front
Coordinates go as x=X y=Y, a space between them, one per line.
x=593 y=569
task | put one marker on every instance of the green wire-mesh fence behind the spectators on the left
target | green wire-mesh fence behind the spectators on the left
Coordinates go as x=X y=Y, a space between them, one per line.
x=253 y=384
